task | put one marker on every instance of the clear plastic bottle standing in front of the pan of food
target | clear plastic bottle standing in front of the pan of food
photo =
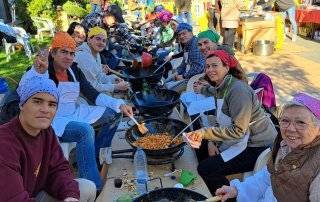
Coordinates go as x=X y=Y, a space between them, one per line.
x=141 y=172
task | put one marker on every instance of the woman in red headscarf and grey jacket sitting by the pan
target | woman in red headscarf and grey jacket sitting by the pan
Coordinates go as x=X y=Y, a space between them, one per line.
x=242 y=129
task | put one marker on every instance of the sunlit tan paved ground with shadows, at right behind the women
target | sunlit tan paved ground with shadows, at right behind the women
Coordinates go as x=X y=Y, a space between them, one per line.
x=294 y=68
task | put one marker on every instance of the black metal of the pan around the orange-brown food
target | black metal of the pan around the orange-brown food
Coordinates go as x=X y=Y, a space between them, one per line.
x=158 y=125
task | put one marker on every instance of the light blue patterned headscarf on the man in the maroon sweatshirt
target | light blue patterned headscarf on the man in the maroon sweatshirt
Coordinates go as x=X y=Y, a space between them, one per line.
x=36 y=85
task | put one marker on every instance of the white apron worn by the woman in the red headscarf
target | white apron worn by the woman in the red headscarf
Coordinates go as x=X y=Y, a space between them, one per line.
x=229 y=148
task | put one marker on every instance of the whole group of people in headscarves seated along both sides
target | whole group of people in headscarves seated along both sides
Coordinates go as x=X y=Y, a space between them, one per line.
x=66 y=96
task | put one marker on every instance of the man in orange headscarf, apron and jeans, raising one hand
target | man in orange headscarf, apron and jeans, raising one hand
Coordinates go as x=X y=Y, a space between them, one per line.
x=74 y=120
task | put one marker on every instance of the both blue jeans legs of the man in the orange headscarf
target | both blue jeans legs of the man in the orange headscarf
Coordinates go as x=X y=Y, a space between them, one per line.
x=89 y=144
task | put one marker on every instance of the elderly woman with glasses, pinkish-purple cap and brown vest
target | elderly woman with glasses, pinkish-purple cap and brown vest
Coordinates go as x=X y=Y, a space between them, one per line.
x=292 y=174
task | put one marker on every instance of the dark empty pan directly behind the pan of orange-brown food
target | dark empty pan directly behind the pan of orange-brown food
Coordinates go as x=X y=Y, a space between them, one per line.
x=156 y=102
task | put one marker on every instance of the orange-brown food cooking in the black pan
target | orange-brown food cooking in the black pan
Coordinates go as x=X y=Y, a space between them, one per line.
x=156 y=141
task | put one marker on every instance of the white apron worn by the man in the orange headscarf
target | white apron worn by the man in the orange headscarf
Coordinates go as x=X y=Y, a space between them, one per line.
x=70 y=109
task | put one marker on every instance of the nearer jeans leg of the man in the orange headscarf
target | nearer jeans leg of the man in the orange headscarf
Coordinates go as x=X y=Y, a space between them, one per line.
x=83 y=134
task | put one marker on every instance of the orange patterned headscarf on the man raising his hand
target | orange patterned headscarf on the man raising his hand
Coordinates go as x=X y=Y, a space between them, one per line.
x=63 y=40
